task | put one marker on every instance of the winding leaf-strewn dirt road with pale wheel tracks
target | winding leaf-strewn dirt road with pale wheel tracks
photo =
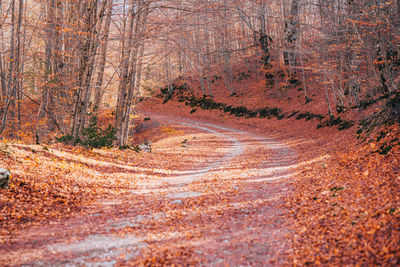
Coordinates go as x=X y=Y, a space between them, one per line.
x=224 y=210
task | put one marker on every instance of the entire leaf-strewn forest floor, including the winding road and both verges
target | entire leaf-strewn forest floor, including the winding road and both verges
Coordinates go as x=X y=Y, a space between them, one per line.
x=215 y=190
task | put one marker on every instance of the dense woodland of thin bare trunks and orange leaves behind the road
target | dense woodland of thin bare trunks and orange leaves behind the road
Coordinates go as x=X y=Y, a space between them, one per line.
x=63 y=62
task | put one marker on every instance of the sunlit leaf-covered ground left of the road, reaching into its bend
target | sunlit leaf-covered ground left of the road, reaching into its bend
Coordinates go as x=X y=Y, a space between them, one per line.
x=51 y=181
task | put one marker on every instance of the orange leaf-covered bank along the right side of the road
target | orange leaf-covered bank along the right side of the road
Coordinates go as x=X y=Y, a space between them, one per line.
x=345 y=204
